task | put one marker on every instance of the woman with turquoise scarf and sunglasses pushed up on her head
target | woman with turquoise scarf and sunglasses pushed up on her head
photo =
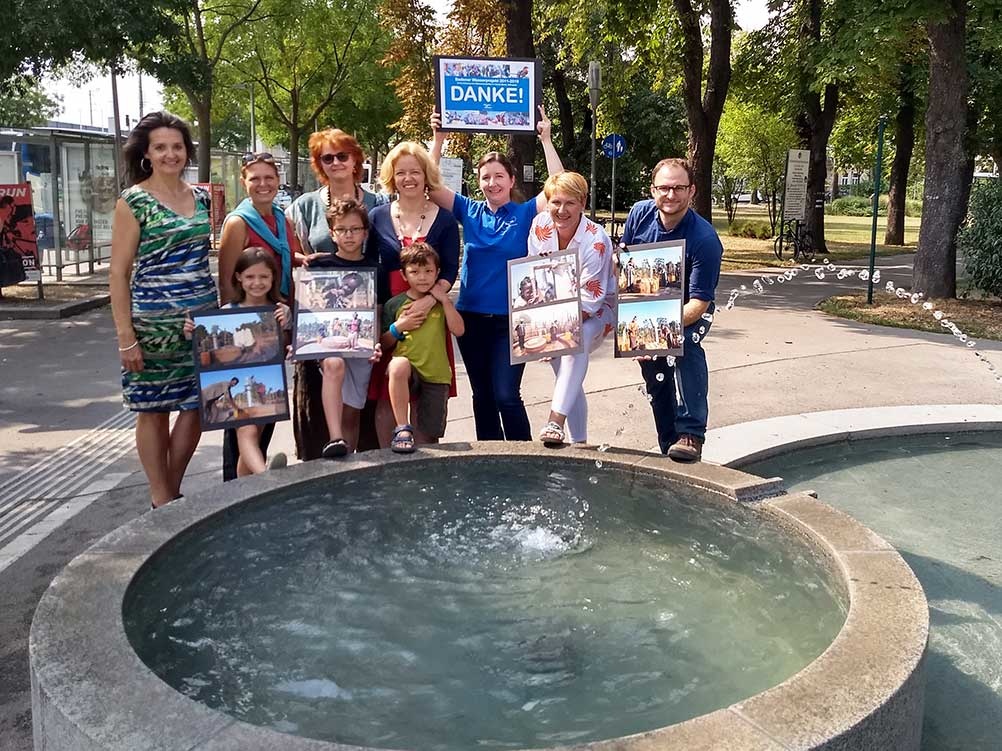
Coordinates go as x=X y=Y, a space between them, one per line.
x=256 y=223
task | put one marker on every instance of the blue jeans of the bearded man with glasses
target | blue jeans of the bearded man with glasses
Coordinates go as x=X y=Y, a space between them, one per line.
x=688 y=414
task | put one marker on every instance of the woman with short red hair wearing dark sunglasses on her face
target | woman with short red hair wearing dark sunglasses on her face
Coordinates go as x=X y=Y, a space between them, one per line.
x=336 y=159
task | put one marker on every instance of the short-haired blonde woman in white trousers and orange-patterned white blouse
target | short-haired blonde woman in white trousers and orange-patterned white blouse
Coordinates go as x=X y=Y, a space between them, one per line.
x=565 y=228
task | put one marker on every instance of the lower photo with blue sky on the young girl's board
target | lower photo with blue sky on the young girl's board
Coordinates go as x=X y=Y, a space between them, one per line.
x=243 y=396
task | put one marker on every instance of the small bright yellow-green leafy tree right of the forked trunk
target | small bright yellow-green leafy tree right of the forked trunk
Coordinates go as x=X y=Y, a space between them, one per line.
x=754 y=145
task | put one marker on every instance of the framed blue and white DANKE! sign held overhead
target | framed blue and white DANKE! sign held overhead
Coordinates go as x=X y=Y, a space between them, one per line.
x=488 y=95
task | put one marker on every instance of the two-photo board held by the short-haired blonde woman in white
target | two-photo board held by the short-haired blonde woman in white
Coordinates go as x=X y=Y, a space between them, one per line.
x=545 y=307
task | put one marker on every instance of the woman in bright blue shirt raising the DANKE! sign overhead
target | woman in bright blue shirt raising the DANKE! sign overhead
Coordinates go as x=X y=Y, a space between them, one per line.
x=494 y=232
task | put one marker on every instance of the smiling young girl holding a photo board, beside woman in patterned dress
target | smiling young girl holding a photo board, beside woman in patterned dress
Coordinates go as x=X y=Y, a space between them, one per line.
x=256 y=285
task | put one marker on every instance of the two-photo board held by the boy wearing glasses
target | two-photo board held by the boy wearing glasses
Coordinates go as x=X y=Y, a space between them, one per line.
x=335 y=314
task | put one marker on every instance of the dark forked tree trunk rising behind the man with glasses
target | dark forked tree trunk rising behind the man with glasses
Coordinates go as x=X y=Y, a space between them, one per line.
x=704 y=110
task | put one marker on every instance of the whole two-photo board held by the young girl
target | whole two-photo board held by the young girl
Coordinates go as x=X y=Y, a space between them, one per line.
x=240 y=365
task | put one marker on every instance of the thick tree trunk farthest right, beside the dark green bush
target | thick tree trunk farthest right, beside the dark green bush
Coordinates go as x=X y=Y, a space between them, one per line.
x=947 y=184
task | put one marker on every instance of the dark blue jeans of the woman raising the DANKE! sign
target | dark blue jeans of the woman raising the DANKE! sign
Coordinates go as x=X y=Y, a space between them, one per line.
x=498 y=412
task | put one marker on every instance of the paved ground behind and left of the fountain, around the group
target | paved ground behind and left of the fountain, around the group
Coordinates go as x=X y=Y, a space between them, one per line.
x=69 y=471
